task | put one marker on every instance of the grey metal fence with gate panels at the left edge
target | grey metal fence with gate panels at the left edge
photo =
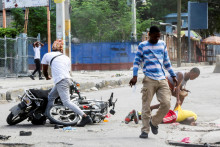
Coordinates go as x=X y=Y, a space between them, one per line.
x=14 y=55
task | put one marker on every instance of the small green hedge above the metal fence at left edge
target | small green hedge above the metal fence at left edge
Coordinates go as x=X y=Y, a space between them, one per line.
x=8 y=32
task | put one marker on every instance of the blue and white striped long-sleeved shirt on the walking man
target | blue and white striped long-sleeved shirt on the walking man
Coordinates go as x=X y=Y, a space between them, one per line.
x=155 y=58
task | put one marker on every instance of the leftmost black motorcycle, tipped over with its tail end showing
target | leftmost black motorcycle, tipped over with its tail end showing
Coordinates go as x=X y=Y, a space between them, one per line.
x=32 y=107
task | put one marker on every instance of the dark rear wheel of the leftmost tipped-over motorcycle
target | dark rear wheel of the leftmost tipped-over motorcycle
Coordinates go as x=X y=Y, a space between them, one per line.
x=13 y=120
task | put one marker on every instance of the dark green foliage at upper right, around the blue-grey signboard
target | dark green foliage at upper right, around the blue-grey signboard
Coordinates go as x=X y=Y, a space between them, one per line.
x=160 y=8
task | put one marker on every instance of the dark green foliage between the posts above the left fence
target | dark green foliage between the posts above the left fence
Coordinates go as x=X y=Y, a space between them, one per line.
x=37 y=21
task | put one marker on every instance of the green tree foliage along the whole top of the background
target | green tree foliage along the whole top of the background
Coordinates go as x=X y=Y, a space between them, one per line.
x=109 y=20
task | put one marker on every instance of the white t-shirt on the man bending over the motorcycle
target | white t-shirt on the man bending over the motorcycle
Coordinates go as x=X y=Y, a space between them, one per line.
x=60 y=65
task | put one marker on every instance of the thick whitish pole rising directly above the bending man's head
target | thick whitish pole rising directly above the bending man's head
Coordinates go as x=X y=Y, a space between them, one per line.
x=60 y=22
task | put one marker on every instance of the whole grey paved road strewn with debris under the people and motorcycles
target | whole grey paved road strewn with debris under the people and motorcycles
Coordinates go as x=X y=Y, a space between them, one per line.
x=203 y=100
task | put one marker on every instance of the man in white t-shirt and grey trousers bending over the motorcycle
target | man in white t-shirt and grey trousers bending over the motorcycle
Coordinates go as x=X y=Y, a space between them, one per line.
x=60 y=66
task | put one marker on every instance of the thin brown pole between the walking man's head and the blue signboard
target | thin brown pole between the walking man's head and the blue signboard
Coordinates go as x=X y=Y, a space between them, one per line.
x=178 y=33
